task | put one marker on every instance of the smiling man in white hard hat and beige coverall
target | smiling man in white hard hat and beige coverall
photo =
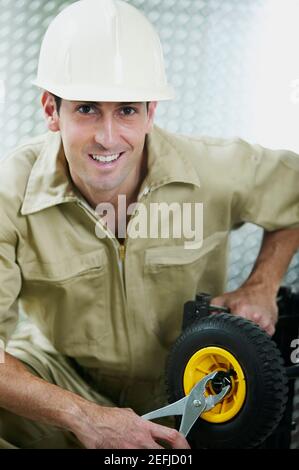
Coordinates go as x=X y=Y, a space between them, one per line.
x=109 y=304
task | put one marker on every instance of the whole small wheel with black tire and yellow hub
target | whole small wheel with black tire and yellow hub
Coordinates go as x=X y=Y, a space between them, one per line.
x=247 y=359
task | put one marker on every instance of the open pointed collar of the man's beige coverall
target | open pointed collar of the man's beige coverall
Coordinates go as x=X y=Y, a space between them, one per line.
x=50 y=183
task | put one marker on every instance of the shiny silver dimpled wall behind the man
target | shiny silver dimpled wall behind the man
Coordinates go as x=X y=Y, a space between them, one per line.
x=213 y=56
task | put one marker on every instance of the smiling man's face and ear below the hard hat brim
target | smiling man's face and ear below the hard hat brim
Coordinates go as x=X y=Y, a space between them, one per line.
x=103 y=142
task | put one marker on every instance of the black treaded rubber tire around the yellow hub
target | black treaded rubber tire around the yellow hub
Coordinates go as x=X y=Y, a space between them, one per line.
x=265 y=376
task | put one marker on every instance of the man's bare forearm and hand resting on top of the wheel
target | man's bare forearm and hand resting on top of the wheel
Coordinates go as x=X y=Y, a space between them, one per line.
x=256 y=298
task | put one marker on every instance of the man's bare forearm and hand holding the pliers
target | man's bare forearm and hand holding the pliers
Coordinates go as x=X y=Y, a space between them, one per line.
x=97 y=427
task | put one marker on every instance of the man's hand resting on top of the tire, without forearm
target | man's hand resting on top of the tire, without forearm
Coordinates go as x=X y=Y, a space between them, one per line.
x=253 y=303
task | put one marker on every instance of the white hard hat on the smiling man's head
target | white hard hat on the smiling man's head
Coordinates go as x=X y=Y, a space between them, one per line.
x=103 y=50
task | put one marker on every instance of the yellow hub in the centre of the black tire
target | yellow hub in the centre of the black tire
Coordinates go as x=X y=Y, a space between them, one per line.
x=212 y=359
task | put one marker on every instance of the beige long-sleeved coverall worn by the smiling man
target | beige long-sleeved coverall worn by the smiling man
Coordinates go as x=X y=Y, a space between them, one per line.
x=109 y=320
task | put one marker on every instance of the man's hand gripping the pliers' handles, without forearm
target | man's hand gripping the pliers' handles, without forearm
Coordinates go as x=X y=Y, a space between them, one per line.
x=121 y=428
